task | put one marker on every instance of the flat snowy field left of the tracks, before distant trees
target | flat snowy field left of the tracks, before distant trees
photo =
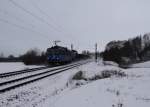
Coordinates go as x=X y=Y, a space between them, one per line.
x=14 y=66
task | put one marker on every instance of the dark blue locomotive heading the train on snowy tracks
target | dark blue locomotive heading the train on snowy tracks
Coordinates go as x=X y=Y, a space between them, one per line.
x=60 y=55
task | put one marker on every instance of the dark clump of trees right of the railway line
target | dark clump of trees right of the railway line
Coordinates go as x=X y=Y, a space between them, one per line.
x=132 y=51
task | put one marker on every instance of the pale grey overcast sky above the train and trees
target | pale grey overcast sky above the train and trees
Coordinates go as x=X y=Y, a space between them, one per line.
x=26 y=24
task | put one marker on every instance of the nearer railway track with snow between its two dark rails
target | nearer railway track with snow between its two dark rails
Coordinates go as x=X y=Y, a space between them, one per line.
x=17 y=82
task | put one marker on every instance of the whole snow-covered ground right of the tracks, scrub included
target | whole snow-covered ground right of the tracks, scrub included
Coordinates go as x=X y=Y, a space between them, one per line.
x=85 y=86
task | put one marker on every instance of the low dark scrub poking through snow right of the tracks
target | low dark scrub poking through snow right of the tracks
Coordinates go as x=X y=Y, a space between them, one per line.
x=80 y=78
